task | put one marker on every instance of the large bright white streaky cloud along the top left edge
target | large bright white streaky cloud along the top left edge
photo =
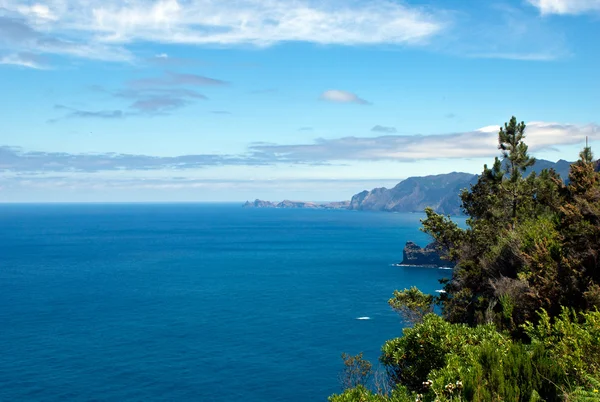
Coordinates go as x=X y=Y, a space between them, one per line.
x=256 y=22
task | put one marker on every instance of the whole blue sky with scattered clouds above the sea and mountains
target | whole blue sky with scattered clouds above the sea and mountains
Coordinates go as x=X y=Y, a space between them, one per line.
x=212 y=100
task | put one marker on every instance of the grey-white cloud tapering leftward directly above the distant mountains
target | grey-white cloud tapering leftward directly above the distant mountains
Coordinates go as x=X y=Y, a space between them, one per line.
x=479 y=143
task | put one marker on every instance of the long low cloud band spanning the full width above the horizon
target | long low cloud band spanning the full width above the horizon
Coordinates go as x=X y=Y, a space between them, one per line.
x=401 y=148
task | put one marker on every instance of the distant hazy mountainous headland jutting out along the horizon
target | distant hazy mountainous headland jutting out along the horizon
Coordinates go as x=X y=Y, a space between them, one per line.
x=414 y=194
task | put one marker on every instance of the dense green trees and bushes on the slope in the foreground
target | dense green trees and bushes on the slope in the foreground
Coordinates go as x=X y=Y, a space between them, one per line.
x=519 y=317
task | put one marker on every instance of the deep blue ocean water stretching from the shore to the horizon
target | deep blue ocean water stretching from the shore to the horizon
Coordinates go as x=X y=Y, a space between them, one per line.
x=194 y=302
